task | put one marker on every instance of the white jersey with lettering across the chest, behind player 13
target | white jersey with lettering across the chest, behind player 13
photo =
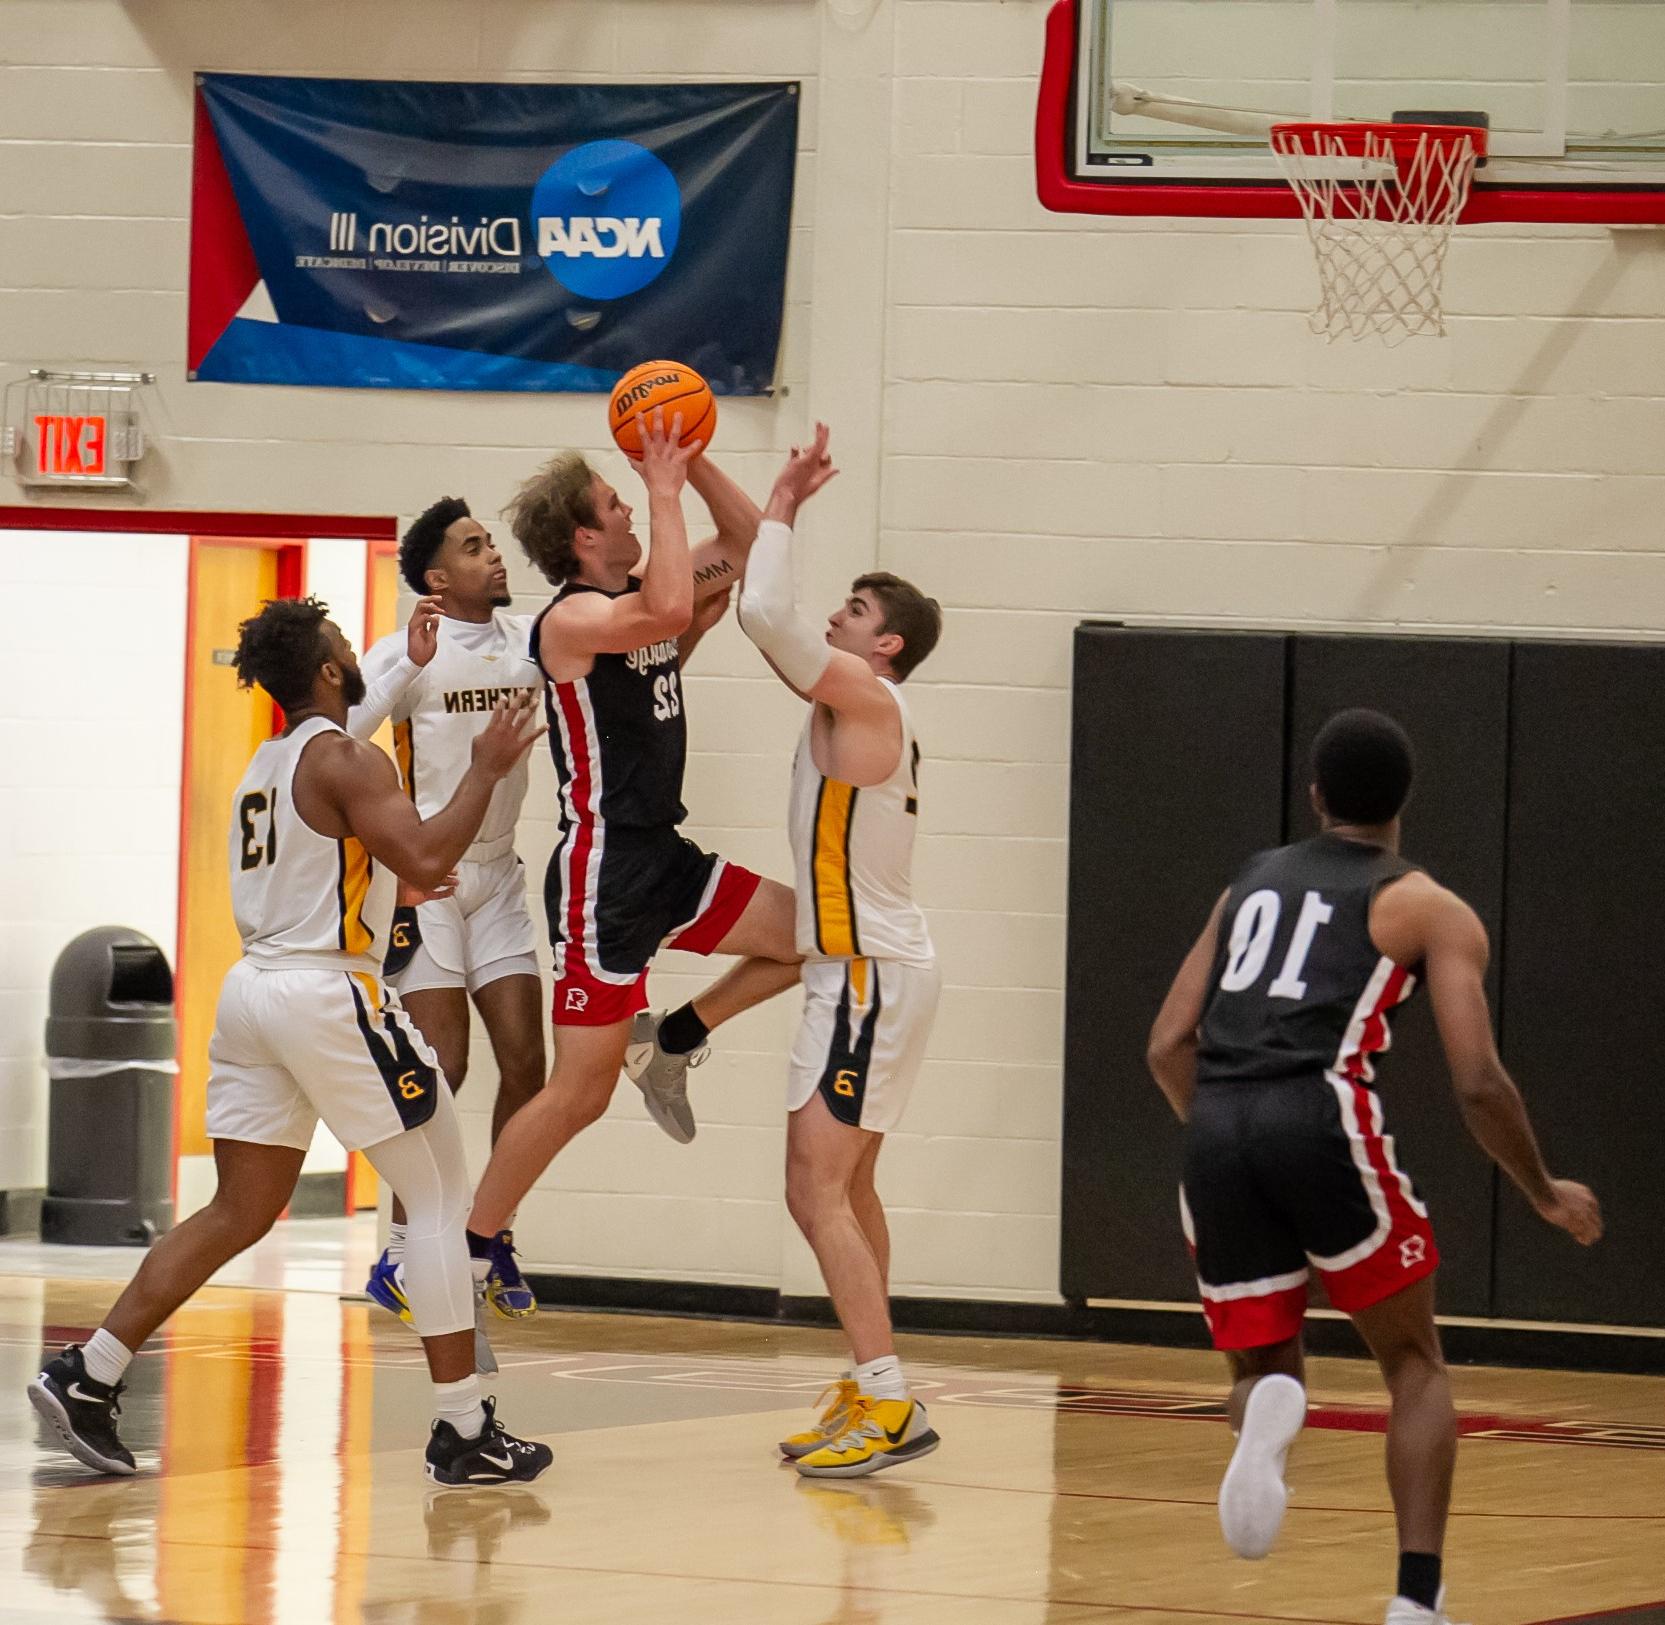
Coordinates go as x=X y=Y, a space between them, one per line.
x=447 y=705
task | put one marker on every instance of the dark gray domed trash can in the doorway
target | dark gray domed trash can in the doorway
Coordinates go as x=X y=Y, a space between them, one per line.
x=111 y=1121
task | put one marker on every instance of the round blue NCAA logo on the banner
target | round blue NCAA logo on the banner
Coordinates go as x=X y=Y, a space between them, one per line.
x=607 y=219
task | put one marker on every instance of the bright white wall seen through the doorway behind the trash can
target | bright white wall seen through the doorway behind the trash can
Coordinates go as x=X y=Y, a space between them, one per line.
x=92 y=670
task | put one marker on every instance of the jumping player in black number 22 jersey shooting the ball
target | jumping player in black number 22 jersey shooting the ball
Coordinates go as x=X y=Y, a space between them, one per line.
x=624 y=882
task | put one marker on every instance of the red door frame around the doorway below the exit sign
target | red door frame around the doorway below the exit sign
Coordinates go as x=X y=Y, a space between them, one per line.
x=284 y=532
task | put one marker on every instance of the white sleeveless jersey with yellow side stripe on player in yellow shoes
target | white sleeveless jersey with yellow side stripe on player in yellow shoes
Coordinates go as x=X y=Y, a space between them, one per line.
x=853 y=855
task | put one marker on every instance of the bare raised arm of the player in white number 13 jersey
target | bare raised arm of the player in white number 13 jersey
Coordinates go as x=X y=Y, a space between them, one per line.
x=350 y=788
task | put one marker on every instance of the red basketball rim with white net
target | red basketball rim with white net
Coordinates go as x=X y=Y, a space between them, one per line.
x=1379 y=202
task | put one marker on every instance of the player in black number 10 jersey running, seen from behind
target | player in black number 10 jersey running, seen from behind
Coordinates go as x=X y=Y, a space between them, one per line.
x=1265 y=1050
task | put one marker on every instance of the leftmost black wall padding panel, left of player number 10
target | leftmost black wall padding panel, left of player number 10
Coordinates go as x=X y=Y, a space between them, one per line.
x=1178 y=775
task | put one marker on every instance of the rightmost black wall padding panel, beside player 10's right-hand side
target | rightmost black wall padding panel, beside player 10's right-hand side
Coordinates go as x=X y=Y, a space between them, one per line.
x=1584 y=975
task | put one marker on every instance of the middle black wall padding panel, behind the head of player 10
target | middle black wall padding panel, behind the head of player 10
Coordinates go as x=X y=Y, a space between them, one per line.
x=1451 y=695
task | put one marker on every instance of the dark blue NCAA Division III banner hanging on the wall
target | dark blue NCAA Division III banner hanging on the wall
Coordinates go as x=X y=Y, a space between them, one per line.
x=370 y=234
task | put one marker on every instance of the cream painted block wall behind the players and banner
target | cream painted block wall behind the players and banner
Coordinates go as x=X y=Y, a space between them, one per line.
x=1040 y=419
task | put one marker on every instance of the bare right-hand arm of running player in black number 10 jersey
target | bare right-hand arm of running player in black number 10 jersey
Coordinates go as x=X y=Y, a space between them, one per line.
x=1416 y=922
